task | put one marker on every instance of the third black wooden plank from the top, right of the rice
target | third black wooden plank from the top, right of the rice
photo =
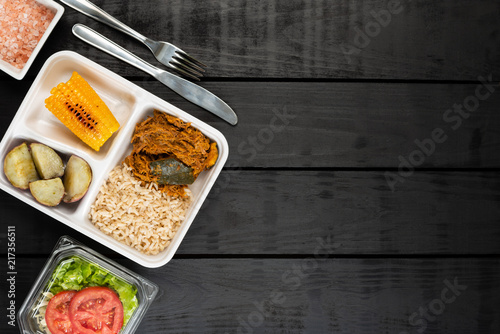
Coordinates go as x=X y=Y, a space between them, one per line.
x=285 y=212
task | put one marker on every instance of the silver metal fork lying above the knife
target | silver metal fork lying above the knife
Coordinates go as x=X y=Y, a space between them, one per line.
x=166 y=53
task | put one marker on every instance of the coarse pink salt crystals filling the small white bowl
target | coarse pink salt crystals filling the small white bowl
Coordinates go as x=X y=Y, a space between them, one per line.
x=22 y=25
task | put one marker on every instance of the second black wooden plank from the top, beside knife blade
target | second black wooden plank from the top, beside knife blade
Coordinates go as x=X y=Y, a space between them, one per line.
x=340 y=125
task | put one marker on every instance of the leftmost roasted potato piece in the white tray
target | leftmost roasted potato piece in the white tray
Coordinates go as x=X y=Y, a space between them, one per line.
x=19 y=167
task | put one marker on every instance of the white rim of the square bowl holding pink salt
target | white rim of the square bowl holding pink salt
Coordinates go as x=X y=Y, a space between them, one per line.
x=19 y=73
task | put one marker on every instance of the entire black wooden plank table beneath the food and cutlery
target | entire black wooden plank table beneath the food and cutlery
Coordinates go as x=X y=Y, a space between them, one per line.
x=362 y=190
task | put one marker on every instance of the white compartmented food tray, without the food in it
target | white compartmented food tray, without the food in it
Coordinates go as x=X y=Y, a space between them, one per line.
x=130 y=104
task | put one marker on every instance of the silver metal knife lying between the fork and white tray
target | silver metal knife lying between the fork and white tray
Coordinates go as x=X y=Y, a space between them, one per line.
x=190 y=91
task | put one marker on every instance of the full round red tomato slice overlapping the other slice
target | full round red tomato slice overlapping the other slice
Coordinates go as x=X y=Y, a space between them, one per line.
x=96 y=310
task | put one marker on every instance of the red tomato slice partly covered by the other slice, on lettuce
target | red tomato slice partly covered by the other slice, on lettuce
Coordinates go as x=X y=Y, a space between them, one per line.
x=57 y=313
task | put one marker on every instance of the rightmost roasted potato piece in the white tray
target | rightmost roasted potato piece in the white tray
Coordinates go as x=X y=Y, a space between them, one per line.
x=77 y=178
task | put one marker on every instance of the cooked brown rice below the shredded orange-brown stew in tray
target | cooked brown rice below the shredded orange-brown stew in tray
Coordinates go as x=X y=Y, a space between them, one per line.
x=141 y=217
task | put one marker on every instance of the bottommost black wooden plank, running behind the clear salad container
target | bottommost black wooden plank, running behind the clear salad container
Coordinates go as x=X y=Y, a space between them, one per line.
x=313 y=295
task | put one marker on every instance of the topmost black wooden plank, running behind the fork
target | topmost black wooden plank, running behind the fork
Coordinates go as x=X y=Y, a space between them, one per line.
x=308 y=39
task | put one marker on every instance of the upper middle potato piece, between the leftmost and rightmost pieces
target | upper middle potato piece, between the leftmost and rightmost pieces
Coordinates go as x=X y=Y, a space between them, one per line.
x=47 y=162
